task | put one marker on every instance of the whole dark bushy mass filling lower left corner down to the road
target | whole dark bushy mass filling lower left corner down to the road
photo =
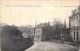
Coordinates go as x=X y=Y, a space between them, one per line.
x=12 y=39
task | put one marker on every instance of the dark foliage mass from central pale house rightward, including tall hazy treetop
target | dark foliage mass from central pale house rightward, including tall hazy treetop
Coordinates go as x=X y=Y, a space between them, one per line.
x=54 y=31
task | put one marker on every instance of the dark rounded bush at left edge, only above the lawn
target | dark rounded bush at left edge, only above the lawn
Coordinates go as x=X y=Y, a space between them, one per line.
x=10 y=31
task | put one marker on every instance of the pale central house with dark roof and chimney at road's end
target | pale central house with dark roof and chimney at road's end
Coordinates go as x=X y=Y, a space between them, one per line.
x=40 y=32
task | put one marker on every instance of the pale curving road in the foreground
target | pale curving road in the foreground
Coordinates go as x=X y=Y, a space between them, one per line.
x=51 y=46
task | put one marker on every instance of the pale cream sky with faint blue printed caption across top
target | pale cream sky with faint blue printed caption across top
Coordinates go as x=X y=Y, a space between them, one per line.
x=27 y=12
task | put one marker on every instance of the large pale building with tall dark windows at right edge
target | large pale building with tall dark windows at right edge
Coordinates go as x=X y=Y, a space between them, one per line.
x=74 y=24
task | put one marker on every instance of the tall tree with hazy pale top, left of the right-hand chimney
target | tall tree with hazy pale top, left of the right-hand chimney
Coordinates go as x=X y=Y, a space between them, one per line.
x=58 y=27
